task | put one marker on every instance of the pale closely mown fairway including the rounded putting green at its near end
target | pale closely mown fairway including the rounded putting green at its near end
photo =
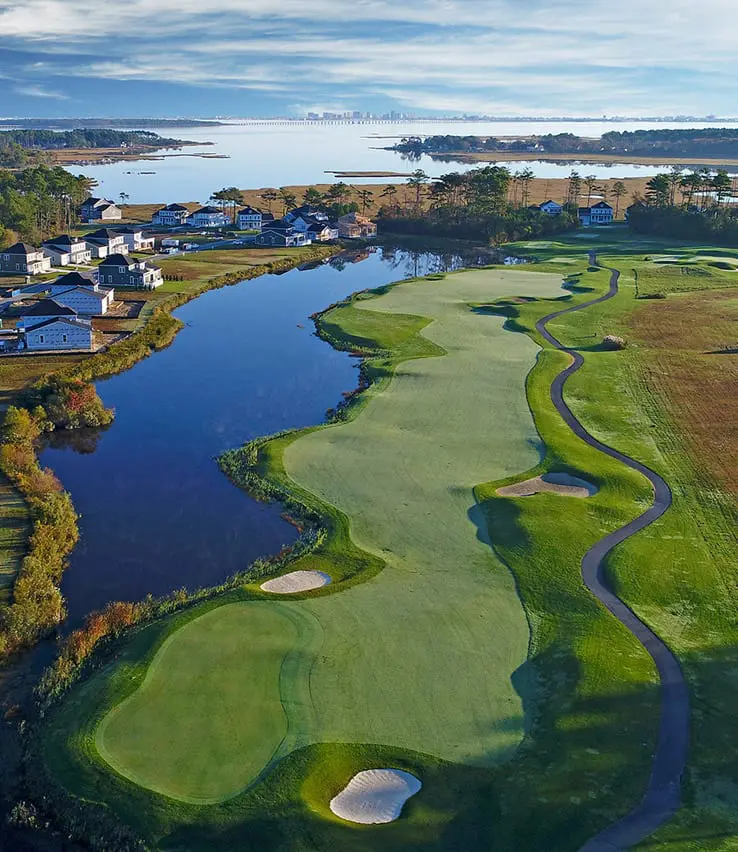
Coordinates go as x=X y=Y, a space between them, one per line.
x=421 y=656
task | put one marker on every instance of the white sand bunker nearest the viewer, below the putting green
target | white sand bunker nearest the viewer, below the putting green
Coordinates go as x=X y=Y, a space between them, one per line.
x=375 y=796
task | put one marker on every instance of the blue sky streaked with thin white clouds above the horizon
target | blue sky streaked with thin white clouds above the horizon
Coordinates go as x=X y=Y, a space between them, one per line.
x=138 y=58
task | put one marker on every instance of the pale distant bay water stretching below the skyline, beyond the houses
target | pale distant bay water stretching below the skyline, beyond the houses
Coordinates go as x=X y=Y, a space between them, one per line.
x=273 y=154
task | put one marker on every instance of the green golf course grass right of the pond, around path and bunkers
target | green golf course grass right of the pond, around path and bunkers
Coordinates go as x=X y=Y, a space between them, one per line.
x=531 y=729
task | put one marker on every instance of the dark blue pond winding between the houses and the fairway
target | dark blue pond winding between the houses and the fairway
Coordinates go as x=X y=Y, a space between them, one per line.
x=156 y=512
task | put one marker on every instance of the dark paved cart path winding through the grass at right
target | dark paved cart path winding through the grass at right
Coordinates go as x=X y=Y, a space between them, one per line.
x=663 y=795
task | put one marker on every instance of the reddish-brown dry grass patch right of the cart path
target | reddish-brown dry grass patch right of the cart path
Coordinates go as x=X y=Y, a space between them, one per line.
x=693 y=364
